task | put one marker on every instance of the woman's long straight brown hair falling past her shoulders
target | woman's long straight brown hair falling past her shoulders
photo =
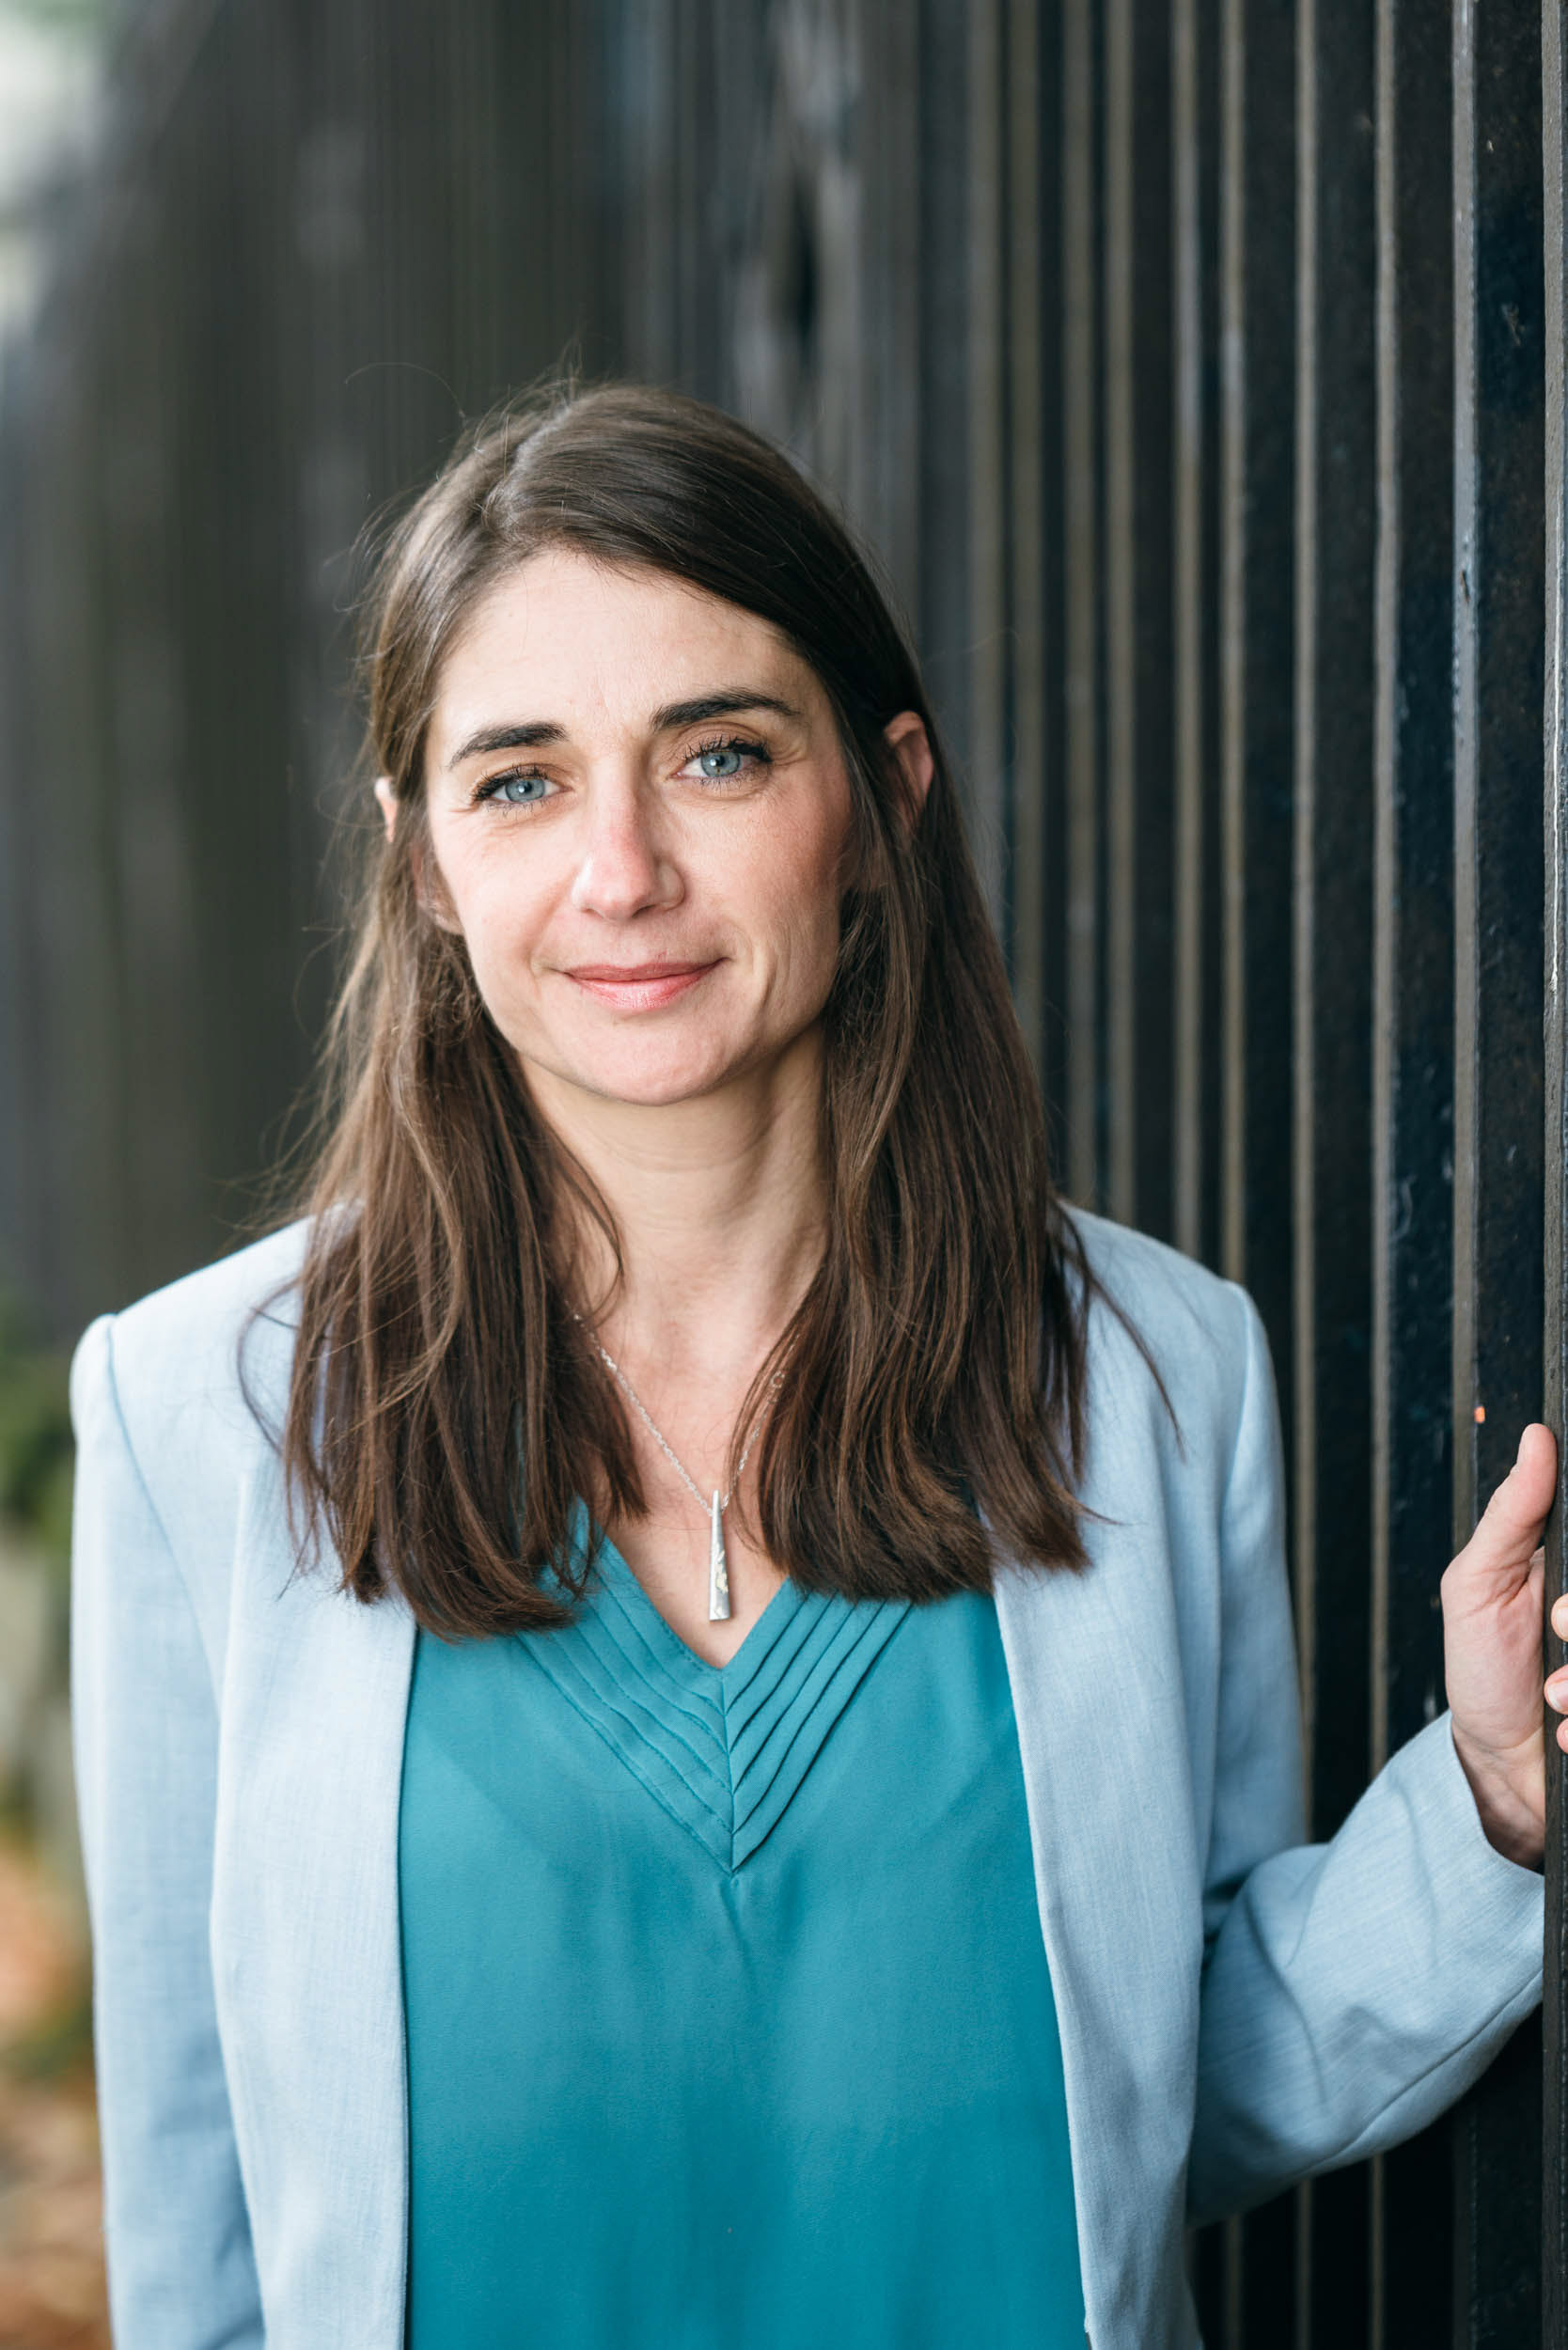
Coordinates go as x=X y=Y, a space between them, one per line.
x=445 y=1409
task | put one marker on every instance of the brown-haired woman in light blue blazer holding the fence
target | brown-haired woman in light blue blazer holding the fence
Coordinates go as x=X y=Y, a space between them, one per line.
x=685 y=1698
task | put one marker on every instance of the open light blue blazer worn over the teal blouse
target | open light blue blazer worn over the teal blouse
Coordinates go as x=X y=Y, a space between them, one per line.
x=1238 y=2008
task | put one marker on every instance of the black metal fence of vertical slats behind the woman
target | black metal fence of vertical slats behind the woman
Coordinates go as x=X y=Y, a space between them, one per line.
x=1198 y=370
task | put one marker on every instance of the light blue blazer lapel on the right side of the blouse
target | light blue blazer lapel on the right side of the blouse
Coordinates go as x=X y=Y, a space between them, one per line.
x=1104 y=1747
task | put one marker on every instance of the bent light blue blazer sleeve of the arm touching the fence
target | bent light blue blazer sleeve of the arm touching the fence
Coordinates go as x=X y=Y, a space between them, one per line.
x=1351 y=1989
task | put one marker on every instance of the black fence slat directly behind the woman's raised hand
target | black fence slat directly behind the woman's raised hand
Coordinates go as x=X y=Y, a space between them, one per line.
x=1499 y=972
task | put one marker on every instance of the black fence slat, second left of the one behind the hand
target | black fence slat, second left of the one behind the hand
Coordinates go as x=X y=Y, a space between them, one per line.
x=1334 y=1014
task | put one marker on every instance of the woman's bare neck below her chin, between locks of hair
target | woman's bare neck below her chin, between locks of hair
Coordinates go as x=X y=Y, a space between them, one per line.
x=721 y=1207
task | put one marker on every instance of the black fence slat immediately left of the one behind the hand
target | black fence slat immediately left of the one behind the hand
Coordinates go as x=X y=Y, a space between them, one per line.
x=1414 y=1021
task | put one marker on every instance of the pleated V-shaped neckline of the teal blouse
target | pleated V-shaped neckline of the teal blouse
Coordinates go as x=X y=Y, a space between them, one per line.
x=721 y=1747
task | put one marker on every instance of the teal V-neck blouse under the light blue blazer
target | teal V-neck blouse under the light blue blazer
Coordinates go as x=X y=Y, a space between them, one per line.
x=728 y=2006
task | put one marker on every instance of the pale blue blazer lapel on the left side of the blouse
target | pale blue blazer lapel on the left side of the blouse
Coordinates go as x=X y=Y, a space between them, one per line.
x=304 y=1935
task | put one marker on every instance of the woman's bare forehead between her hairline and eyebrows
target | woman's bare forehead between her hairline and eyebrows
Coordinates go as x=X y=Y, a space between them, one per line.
x=570 y=638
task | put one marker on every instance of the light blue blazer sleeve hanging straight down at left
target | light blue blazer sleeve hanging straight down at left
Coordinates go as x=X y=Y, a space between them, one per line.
x=145 y=1733
